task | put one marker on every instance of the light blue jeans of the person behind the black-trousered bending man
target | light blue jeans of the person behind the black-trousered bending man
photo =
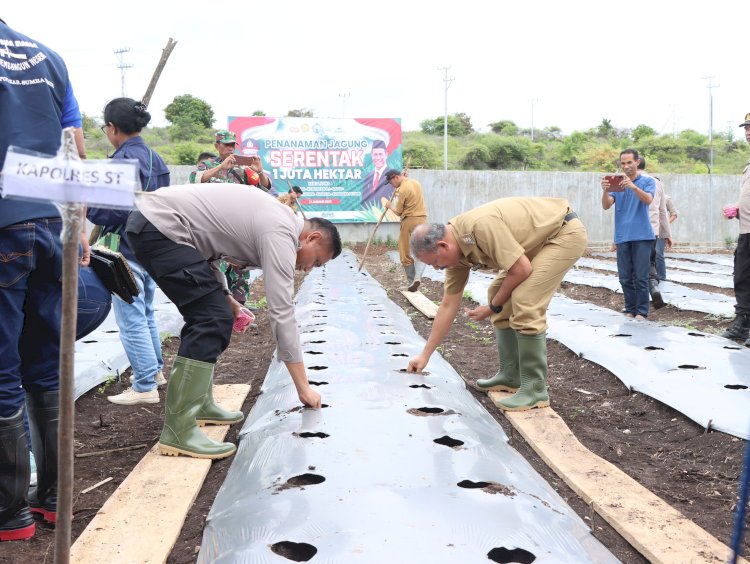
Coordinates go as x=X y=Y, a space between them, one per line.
x=138 y=332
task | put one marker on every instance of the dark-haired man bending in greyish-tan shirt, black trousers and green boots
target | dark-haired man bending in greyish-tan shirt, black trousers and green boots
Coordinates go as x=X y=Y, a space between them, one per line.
x=179 y=237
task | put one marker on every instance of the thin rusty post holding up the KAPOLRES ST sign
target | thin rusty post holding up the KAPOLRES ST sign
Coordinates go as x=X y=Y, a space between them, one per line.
x=71 y=232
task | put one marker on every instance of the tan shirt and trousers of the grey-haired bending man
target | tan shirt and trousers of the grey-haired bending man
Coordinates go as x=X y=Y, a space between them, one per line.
x=498 y=233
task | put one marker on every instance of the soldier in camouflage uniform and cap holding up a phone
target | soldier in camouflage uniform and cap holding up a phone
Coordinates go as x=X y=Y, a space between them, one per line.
x=224 y=168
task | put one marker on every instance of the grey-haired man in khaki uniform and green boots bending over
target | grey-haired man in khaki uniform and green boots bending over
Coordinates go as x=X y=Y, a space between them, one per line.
x=532 y=242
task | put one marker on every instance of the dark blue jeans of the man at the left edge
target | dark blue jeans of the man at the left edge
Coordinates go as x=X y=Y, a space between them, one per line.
x=30 y=303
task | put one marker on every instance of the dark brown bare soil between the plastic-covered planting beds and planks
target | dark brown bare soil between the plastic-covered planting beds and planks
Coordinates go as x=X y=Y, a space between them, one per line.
x=694 y=470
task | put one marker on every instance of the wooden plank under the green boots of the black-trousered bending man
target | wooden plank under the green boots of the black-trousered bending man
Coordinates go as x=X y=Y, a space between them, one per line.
x=143 y=518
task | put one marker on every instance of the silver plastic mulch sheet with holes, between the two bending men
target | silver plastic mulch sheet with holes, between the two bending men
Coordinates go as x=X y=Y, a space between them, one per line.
x=395 y=467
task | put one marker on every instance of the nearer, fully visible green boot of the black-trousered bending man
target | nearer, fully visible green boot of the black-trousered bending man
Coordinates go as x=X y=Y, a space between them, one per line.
x=187 y=390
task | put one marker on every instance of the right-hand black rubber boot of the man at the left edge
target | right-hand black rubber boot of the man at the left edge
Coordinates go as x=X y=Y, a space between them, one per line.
x=43 y=418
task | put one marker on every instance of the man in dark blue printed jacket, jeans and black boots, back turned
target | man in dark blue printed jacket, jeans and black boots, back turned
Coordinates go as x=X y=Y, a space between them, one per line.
x=36 y=103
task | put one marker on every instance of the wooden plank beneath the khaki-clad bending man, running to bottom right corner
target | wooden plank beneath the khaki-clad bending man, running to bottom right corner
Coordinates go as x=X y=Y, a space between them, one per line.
x=653 y=527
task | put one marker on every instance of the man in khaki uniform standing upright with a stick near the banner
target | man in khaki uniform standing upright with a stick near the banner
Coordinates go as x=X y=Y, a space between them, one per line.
x=408 y=203
